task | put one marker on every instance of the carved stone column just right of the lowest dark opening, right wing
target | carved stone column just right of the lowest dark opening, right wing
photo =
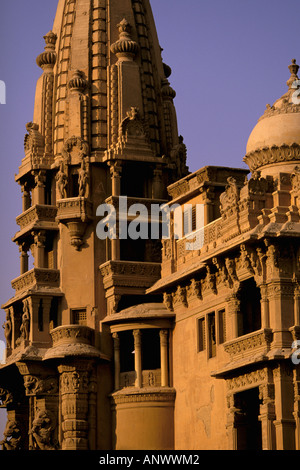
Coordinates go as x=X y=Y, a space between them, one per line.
x=267 y=416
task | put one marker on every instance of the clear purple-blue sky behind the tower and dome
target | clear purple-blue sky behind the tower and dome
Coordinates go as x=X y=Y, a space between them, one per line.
x=229 y=59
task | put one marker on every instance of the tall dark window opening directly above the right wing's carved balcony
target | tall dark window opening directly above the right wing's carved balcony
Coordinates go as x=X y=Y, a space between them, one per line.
x=250 y=307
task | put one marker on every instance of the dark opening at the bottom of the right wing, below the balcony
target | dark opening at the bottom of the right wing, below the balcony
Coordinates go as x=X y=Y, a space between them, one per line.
x=249 y=434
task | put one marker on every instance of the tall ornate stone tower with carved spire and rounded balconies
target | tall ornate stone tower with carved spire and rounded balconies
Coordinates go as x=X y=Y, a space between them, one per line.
x=104 y=126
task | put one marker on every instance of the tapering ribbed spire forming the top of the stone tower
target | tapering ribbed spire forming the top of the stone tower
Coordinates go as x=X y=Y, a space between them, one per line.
x=114 y=48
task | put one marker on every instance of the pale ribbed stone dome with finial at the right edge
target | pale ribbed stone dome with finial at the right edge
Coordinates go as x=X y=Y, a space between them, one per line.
x=275 y=141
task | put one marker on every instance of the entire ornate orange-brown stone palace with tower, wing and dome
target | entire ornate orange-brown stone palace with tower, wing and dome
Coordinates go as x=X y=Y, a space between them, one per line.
x=145 y=344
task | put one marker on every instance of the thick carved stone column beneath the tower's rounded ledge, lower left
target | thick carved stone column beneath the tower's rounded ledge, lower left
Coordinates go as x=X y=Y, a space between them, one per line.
x=74 y=396
